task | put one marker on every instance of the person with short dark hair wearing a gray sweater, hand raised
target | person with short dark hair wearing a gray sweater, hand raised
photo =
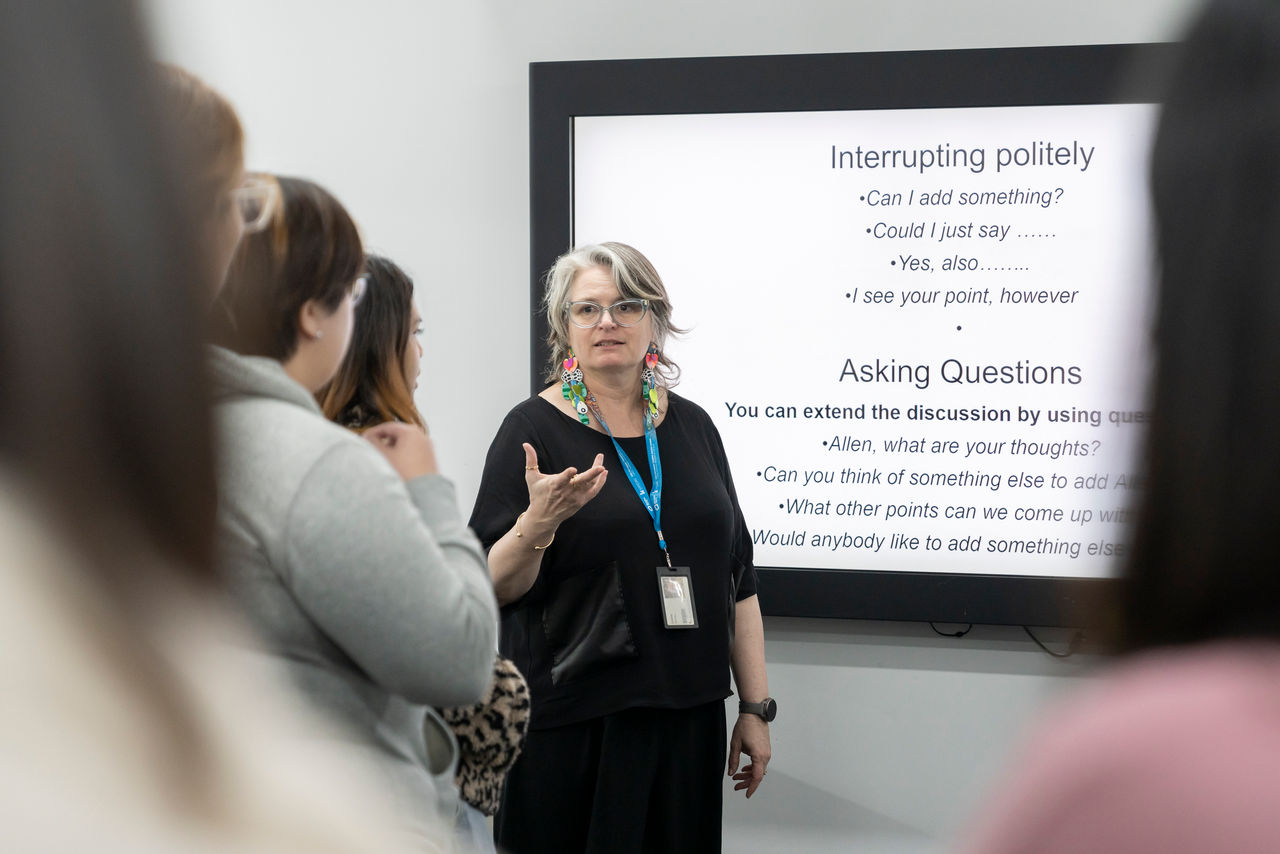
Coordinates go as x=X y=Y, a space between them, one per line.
x=362 y=576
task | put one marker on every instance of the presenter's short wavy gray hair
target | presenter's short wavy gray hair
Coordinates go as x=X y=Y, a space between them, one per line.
x=634 y=277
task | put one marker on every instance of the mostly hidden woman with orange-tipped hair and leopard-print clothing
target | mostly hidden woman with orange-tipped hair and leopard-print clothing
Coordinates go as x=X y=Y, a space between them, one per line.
x=376 y=385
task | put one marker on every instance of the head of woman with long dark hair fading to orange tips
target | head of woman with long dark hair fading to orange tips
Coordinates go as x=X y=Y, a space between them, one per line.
x=380 y=375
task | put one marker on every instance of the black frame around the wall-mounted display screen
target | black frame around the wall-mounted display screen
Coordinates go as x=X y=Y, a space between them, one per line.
x=874 y=81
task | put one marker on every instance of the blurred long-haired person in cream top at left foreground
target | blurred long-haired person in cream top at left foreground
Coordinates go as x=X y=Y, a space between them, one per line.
x=132 y=721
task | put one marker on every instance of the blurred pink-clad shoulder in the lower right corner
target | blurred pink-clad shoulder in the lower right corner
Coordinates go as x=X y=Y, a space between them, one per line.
x=1169 y=751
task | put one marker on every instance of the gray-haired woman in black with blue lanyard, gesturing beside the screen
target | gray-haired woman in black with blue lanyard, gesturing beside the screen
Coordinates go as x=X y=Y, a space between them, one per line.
x=624 y=570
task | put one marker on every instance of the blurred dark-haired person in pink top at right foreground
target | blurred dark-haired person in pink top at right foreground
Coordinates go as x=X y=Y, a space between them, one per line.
x=1176 y=750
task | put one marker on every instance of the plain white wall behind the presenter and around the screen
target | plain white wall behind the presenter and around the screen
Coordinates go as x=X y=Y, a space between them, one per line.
x=415 y=115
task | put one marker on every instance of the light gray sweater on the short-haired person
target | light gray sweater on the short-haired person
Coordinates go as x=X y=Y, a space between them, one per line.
x=373 y=591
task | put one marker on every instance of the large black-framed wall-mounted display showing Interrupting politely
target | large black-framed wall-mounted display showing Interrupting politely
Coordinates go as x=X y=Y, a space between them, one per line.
x=916 y=289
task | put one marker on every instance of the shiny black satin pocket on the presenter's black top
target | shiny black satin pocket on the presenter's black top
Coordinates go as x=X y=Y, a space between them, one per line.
x=587 y=625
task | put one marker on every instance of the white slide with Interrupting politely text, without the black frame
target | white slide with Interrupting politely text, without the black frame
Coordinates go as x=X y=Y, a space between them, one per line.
x=924 y=335
